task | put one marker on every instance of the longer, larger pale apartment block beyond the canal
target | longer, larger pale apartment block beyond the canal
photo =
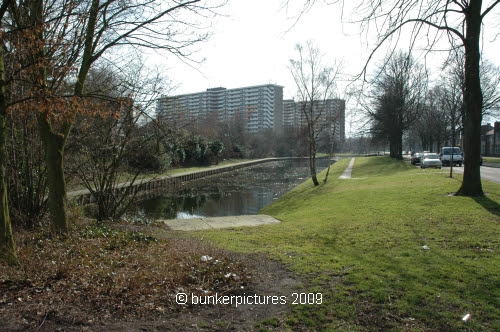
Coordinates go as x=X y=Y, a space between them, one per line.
x=259 y=107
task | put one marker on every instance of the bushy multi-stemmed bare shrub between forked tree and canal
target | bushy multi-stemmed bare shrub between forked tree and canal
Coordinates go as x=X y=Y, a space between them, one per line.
x=105 y=144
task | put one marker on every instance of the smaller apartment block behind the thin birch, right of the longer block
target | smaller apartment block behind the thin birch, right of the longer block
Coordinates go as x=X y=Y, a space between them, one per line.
x=331 y=111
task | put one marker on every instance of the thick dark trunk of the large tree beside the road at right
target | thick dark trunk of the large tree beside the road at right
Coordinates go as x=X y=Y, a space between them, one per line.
x=473 y=102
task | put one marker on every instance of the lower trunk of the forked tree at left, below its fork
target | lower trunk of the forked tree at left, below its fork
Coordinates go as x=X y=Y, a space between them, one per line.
x=54 y=157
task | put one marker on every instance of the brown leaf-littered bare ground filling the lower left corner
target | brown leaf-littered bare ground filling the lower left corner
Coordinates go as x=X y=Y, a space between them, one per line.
x=115 y=280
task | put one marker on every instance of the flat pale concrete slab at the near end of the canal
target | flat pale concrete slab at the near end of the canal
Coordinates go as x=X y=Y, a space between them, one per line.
x=197 y=224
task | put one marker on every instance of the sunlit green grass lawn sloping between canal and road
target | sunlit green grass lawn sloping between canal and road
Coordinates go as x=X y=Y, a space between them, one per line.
x=360 y=242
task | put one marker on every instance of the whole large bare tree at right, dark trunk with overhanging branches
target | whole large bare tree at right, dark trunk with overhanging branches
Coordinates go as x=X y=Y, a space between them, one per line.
x=460 y=22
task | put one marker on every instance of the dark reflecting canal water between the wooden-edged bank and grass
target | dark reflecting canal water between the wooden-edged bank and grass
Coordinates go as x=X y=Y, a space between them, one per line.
x=239 y=192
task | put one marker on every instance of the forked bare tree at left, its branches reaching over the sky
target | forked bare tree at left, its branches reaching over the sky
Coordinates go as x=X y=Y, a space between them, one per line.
x=71 y=36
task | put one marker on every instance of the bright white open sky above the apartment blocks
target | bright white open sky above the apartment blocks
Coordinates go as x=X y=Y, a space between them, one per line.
x=253 y=42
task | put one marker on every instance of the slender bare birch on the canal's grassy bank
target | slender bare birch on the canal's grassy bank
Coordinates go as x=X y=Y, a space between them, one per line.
x=316 y=83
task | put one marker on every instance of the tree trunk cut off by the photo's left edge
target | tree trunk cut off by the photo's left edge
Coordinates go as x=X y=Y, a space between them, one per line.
x=7 y=245
